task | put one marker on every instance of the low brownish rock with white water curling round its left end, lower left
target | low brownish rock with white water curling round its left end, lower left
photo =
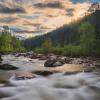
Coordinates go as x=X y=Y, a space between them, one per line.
x=24 y=75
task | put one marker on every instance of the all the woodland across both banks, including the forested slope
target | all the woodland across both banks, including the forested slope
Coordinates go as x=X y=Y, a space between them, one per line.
x=79 y=38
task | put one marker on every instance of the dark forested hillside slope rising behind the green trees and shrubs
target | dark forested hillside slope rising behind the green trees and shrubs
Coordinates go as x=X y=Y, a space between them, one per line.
x=68 y=34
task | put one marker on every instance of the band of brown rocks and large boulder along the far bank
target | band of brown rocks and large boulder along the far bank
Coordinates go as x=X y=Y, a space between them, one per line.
x=52 y=60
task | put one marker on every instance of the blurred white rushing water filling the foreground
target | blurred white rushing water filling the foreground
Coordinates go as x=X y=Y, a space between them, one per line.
x=58 y=86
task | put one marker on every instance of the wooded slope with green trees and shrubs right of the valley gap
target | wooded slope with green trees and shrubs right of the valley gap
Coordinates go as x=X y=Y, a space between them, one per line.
x=80 y=38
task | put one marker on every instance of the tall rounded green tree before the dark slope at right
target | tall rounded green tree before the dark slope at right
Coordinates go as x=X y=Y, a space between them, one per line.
x=87 y=38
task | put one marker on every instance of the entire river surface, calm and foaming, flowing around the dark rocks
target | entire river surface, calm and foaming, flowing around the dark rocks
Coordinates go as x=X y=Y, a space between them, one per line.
x=57 y=86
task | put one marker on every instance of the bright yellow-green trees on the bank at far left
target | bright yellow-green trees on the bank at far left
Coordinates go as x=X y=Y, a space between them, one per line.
x=9 y=43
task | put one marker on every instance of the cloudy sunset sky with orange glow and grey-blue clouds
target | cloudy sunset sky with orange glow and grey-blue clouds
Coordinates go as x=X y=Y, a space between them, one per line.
x=36 y=17
